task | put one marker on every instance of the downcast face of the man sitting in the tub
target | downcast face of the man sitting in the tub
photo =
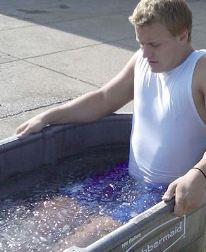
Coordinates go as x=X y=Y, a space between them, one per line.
x=160 y=48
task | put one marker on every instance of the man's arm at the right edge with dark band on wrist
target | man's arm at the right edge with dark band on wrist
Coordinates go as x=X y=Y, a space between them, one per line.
x=190 y=189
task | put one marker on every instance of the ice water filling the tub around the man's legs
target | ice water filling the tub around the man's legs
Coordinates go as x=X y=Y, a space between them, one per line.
x=75 y=203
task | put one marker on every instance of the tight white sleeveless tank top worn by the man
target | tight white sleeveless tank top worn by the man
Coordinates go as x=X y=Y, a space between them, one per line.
x=168 y=137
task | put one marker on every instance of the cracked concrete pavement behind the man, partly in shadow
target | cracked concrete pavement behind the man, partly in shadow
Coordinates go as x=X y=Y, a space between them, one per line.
x=53 y=51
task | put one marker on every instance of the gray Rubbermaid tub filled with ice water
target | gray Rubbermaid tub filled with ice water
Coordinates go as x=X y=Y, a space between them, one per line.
x=156 y=229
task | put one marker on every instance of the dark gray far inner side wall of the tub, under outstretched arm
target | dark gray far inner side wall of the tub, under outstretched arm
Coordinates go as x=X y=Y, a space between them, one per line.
x=59 y=142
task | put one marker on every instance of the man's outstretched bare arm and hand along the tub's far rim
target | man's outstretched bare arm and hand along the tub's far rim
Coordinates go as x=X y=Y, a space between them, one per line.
x=90 y=106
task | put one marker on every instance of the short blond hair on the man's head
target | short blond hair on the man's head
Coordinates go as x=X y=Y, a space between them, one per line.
x=174 y=14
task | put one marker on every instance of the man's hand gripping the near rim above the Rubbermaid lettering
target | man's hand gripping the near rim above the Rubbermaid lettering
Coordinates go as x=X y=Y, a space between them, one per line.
x=189 y=191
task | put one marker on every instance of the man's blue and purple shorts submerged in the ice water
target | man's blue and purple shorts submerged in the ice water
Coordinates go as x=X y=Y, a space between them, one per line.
x=113 y=192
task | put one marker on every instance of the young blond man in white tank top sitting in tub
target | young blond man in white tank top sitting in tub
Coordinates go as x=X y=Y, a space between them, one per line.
x=166 y=79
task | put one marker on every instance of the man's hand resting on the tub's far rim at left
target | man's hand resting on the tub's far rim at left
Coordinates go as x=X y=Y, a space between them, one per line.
x=33 y=125
